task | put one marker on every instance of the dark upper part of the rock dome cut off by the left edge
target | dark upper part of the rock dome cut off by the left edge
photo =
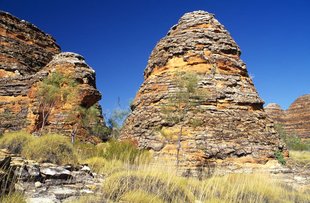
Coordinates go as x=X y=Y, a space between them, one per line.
x=24 y=48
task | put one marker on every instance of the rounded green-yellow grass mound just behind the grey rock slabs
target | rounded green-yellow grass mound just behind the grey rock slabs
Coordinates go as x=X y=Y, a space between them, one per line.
x=51 y=148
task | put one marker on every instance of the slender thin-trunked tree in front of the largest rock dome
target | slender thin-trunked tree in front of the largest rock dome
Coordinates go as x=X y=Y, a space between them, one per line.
x=185 y=98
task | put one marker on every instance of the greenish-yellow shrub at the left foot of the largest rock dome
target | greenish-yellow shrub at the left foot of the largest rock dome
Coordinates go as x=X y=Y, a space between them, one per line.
x=125 y=151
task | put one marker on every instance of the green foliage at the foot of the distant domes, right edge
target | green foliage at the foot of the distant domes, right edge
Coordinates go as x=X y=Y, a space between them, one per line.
x=293 y=142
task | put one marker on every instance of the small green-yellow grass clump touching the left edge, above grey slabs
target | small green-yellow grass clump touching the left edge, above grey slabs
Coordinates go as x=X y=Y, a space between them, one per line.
x=15 y=141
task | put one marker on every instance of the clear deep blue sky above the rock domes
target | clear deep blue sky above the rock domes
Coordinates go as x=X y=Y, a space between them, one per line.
x=117 y=37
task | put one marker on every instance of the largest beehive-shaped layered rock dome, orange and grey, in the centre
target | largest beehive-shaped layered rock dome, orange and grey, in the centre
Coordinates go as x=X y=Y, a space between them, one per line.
x=234 y=125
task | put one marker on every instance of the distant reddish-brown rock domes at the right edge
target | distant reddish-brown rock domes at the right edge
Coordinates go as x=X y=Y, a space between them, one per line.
x=296 y=119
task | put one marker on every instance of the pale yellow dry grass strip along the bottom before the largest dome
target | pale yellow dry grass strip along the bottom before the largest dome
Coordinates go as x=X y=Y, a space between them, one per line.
x=154 y=182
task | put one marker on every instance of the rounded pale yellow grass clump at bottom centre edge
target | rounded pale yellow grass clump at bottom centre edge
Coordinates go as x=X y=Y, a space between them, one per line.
x=167 y=188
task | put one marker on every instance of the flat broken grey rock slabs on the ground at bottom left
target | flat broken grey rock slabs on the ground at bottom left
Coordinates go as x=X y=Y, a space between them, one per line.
x=45 y=182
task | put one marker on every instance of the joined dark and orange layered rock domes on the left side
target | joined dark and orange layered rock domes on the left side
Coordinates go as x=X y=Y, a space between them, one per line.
x=28 y=55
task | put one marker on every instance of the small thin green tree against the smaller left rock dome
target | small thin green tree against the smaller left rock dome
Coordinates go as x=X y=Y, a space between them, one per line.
x=55 y=88
